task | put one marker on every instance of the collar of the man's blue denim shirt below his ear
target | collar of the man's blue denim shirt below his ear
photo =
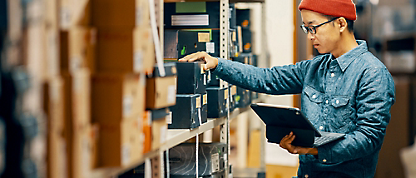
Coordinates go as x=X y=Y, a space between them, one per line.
x=345 y=60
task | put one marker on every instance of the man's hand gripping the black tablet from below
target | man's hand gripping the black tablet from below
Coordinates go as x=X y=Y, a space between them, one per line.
x=286 y=143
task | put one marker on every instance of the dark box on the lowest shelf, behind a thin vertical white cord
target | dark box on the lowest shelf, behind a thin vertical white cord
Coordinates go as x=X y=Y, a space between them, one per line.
x=210 y=159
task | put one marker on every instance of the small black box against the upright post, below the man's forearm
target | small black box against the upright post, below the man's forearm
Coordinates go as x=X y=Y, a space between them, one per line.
x=217 y=105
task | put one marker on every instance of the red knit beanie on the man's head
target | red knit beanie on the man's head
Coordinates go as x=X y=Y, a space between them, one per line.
x=336 y=8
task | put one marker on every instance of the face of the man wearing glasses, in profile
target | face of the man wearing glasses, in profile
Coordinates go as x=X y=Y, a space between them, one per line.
x=327 y=35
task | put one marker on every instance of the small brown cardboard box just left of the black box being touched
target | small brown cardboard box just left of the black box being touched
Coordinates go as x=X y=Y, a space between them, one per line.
x=160 y=92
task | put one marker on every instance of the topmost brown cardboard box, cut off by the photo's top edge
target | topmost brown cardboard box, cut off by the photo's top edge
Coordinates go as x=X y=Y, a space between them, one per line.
x=107 y=13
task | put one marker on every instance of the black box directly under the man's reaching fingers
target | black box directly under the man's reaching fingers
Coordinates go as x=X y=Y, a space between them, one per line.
x=191 y=78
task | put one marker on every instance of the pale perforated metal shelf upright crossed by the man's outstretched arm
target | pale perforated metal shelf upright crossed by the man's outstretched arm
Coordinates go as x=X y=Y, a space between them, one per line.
x=224 y=53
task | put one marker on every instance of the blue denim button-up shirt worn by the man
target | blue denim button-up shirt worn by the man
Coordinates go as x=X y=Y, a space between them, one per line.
x=351 y=94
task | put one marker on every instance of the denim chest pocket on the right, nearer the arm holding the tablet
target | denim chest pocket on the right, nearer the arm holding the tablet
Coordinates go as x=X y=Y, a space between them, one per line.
x=341 y=114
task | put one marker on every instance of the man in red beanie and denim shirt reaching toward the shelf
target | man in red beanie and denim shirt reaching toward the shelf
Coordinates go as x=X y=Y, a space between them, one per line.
x=346 y=89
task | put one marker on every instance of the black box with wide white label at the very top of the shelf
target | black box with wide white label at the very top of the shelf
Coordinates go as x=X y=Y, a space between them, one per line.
x=175 y=18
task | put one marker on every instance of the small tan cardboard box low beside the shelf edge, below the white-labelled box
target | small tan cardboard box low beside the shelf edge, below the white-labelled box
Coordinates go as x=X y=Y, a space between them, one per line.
x=159 y=133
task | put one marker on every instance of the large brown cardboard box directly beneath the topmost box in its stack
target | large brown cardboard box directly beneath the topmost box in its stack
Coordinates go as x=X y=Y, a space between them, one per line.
x=125 y=50
